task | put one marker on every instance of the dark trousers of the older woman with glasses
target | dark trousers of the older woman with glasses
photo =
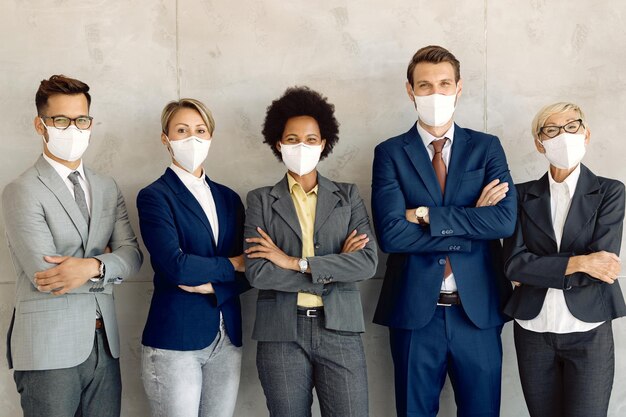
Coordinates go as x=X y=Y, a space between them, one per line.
x=566 y=375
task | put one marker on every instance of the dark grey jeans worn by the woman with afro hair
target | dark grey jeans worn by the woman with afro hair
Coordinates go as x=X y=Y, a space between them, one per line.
x=330 y=361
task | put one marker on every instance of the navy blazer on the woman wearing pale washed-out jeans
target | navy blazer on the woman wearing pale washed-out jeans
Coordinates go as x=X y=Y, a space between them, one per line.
x=182 y=249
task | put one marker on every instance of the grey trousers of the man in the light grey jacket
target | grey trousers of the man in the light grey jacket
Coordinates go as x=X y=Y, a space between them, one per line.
x=91 y=389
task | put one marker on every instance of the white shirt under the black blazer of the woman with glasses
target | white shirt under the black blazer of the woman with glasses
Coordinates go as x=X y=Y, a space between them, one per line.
x=554 y=316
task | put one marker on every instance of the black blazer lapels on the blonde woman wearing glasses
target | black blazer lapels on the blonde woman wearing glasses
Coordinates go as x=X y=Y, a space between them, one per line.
x=585 y=202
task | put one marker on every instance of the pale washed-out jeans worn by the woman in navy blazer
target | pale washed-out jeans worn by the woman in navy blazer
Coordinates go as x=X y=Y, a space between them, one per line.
x=197 y=383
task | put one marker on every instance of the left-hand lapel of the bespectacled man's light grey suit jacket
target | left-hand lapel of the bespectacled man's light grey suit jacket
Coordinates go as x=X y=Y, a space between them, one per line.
x=51 y=179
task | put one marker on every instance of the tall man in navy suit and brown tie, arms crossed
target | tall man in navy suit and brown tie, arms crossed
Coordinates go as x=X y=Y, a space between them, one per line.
x=441 y=202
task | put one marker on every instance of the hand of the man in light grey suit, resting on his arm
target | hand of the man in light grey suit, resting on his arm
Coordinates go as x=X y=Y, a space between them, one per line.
x=69 y=273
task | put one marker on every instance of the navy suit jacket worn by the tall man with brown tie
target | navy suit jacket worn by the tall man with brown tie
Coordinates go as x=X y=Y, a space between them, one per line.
x=403 y=178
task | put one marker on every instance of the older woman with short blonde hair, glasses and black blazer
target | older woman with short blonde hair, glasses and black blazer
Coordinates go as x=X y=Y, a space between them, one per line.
x=563 y=260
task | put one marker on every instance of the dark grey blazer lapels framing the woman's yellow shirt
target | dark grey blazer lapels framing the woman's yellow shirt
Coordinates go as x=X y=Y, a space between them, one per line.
x=326 y=202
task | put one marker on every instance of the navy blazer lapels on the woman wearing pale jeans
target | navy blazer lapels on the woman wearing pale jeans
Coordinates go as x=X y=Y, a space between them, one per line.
x=184 y=195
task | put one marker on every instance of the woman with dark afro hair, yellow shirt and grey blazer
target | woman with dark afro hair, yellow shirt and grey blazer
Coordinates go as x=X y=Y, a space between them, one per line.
x=308 y=243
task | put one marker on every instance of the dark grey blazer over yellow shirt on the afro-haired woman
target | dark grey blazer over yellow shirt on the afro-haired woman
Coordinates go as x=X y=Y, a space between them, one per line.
x=334 y=275
